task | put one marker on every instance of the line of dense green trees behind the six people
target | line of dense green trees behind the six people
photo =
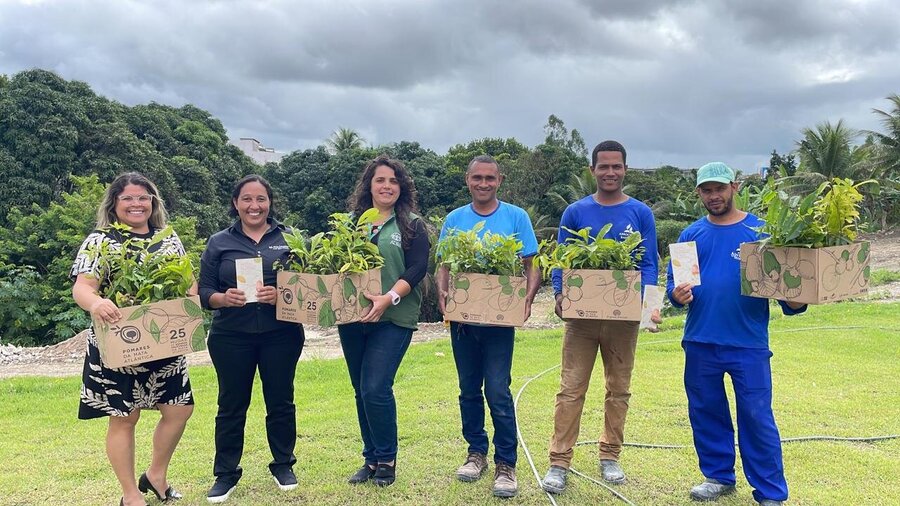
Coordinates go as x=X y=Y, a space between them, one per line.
x=60 y=143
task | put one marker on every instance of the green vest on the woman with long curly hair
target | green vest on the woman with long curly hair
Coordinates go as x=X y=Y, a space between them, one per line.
x=406 y=313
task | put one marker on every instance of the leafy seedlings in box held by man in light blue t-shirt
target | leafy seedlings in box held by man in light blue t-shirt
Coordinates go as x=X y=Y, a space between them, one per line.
x=464 y=251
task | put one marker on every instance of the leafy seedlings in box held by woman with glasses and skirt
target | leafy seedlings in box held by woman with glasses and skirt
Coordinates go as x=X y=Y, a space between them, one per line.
x=132 y=274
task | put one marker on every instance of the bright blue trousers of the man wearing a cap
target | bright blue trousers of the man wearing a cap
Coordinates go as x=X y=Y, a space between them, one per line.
x=705 y=367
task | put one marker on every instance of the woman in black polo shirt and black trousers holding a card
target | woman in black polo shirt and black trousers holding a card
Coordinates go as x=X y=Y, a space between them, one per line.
x=245 y=336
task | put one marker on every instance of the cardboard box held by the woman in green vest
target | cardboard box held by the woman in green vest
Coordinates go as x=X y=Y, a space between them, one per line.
x=324 y=299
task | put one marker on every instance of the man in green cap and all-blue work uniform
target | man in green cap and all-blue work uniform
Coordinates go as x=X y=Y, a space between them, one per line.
x=726 y=332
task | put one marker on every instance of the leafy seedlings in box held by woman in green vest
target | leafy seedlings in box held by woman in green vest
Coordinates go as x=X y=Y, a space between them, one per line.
x=344 y=249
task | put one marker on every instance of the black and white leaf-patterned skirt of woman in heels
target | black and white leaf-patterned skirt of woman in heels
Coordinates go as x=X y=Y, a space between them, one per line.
x=118 y=392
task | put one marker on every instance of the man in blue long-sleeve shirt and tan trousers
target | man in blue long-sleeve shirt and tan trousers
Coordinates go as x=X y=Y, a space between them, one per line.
x=615 y=340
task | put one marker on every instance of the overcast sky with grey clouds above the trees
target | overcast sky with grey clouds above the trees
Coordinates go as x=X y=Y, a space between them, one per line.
x=677 y=82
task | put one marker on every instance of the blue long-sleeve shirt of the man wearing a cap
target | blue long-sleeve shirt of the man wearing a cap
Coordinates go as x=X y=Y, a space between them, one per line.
x=719 y=314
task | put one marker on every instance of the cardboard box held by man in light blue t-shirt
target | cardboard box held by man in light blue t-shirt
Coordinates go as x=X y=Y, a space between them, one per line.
x=486 y=299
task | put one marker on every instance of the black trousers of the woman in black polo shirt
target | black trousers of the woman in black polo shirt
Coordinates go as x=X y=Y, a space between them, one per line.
x=236 y=357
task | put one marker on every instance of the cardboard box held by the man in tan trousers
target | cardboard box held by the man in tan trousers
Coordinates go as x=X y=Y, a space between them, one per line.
x=601 y=295
